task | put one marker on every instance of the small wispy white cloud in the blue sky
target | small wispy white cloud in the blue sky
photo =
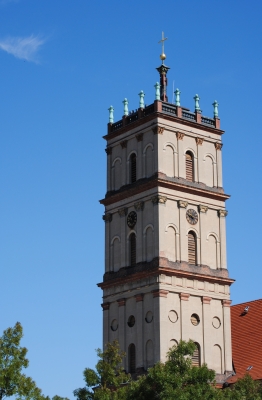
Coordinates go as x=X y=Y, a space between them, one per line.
x=25 y=48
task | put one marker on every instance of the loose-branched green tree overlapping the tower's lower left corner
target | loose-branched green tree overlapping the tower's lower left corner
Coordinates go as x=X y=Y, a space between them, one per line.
x=109 y=378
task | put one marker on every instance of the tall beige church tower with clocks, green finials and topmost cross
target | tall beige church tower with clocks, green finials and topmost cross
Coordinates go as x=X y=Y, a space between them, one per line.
x=166 y=274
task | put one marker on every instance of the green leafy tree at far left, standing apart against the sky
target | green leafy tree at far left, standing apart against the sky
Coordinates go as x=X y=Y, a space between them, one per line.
x=12 y=361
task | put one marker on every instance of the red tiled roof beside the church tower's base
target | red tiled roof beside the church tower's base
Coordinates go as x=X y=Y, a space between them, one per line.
x=247 y=339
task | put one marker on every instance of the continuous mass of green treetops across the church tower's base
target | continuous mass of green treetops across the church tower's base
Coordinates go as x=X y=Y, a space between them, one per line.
x=175 y=379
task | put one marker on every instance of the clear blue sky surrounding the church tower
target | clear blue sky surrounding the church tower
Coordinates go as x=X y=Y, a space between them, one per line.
x=63 y=63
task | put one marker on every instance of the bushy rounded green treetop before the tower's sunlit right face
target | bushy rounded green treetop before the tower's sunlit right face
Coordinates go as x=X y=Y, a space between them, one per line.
x=175 y=379
